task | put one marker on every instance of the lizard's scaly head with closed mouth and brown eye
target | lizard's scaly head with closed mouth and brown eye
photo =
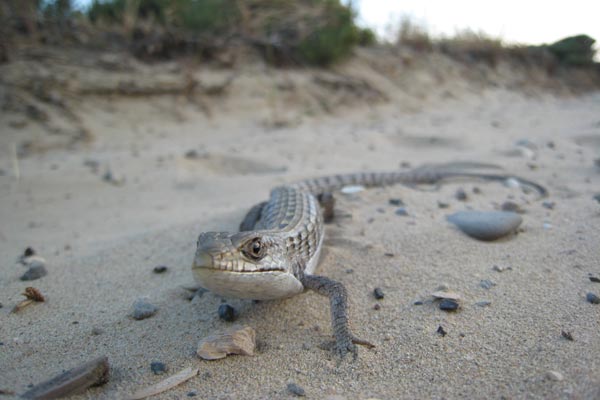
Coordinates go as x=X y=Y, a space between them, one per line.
x=250 y=265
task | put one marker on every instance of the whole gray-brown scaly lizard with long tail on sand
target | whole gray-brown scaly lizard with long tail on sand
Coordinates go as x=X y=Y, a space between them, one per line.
x=276 y=251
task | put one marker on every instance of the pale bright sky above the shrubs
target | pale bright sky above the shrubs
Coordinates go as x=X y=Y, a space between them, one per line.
x=514 y=21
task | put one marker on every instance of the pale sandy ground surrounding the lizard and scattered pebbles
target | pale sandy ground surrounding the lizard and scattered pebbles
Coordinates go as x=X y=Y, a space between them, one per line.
x=103 y=239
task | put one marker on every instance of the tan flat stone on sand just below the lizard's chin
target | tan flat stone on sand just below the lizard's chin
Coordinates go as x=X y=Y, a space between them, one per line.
x=235 y=341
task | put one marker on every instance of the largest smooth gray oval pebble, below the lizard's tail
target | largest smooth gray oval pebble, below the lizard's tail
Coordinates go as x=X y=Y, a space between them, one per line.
x=486 y=225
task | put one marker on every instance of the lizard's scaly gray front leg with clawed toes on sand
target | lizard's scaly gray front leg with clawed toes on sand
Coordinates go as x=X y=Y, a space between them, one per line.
x=345 y=341
